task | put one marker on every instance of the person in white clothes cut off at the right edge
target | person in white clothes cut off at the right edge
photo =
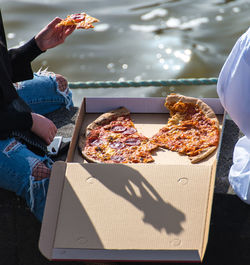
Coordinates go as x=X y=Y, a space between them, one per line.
x=234 y=92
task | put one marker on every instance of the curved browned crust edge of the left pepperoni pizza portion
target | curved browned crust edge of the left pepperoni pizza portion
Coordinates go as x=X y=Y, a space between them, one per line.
x=103 y=119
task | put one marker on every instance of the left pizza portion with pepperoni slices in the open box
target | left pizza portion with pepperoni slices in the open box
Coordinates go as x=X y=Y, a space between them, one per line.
x=113 y=138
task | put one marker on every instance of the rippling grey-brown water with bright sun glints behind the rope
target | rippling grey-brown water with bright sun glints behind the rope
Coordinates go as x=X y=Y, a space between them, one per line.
x=135 y=40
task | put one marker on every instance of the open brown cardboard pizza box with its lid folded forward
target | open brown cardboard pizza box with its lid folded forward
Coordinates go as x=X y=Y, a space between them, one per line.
x=129 y=212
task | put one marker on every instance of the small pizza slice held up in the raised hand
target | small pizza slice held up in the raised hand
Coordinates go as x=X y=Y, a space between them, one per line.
x=80 y=20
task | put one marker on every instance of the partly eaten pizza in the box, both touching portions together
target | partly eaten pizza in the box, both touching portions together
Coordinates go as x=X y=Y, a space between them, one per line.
x=191 y=130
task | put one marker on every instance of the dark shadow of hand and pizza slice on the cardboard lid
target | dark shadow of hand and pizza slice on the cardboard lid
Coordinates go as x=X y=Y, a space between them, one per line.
x=132 y=186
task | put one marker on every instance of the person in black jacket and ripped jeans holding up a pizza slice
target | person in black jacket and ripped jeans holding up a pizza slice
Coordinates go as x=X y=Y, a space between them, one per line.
x=24 y=98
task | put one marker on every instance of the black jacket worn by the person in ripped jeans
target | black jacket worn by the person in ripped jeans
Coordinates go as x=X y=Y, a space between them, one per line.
x=15 y=65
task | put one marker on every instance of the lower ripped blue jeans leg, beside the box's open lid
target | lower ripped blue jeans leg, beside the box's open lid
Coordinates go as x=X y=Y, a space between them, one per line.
x=16 y=166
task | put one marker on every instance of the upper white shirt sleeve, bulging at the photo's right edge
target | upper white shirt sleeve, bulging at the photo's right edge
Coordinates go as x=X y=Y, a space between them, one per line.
x=233 y=85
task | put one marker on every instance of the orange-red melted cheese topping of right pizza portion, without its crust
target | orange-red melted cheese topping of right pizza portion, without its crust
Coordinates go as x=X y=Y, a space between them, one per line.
x=188 y=131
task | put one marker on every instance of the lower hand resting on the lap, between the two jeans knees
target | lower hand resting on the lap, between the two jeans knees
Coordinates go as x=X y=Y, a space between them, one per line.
x=43 y=127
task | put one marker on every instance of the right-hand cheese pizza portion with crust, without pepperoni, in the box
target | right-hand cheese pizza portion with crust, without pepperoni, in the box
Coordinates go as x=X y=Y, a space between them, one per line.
x=192 y=129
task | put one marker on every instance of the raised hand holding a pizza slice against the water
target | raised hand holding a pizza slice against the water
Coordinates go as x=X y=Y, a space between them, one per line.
x=51 y=35
